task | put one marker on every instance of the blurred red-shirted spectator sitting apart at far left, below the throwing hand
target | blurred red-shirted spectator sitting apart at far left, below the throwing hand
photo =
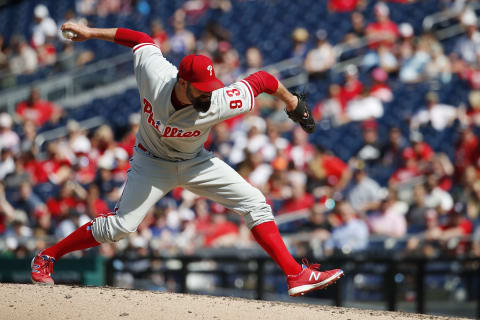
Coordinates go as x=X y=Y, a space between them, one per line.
x=35 y=109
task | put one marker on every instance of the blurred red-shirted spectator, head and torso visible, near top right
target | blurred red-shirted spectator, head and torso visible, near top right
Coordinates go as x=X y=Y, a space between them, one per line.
x=384 y=30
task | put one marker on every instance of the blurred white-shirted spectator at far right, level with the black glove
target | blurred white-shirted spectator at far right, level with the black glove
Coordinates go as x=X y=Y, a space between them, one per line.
x=438 y=115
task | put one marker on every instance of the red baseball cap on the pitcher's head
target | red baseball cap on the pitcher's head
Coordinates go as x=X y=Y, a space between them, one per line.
x=198 y=70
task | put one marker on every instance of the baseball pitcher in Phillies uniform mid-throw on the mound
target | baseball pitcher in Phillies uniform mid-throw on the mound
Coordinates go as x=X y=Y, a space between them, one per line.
x=178 y=109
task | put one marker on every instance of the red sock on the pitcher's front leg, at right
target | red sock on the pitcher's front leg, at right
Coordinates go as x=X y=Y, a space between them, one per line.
x=268 y=236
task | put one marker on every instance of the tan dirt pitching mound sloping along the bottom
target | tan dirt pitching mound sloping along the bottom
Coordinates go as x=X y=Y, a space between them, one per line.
x=26 y=301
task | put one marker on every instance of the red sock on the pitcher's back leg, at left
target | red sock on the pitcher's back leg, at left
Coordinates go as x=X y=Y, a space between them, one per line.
x=79 y=239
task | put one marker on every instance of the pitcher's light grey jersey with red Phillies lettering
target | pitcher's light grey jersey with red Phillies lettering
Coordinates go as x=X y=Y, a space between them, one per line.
x=177 y=135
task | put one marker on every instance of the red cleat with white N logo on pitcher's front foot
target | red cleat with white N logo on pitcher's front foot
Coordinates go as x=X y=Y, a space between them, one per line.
x=310 y=279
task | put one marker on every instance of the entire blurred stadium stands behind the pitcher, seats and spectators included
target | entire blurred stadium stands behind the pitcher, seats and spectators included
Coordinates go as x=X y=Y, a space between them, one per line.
x=391 y=171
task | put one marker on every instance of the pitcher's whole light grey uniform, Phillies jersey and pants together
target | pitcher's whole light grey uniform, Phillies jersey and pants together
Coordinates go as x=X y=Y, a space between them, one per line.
x=170 y=153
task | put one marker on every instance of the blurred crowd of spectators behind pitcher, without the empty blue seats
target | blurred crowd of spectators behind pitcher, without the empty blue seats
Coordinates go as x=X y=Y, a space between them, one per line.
x=324 y=204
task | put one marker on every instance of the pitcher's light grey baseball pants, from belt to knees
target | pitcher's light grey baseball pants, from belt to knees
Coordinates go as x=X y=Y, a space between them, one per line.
x=149 y=179
